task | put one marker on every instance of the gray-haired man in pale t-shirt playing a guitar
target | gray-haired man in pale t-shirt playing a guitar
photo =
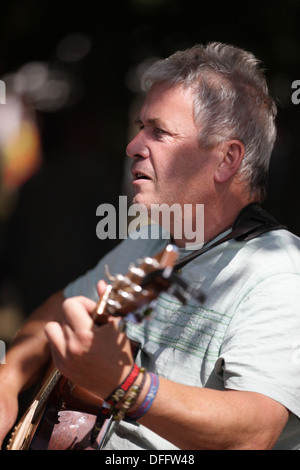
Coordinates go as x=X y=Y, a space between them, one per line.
x=224 y=375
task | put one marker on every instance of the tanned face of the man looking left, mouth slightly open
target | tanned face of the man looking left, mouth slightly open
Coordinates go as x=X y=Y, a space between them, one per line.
x=169 y=164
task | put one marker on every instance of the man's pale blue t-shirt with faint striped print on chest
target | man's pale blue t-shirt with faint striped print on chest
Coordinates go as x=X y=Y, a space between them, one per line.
x=246 y=335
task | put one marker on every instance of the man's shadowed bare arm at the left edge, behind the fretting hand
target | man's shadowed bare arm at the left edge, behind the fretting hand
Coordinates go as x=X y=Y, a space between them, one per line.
x=28 y=353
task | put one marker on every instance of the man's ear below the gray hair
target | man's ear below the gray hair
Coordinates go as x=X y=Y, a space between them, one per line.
x=232 y=153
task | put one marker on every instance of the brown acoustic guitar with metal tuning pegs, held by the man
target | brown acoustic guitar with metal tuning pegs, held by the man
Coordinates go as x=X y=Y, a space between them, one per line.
x=62 y=415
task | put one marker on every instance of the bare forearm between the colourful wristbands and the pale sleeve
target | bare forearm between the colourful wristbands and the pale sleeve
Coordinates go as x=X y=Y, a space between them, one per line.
x=209 y=419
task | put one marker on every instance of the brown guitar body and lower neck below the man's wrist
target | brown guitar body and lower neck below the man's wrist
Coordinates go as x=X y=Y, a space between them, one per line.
x=65 y=422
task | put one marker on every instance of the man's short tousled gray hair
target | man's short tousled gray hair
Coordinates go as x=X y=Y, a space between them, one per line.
x=232 y=101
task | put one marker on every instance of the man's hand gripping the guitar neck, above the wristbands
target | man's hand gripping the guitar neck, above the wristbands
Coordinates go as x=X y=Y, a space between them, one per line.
x=95 y=358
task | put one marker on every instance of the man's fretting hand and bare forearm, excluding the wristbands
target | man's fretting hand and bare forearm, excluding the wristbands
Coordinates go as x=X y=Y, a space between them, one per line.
x=189 y=417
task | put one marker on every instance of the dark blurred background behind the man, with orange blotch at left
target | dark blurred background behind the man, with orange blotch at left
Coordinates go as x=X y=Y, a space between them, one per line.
x=72 y=71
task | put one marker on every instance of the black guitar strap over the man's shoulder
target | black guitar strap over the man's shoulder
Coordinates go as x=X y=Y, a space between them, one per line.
x=251 y=222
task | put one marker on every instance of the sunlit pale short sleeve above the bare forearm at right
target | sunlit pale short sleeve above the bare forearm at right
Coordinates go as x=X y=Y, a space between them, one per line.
x=261 y=348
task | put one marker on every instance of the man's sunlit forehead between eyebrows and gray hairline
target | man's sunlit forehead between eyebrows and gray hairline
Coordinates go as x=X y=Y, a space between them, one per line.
x=174 y=105
